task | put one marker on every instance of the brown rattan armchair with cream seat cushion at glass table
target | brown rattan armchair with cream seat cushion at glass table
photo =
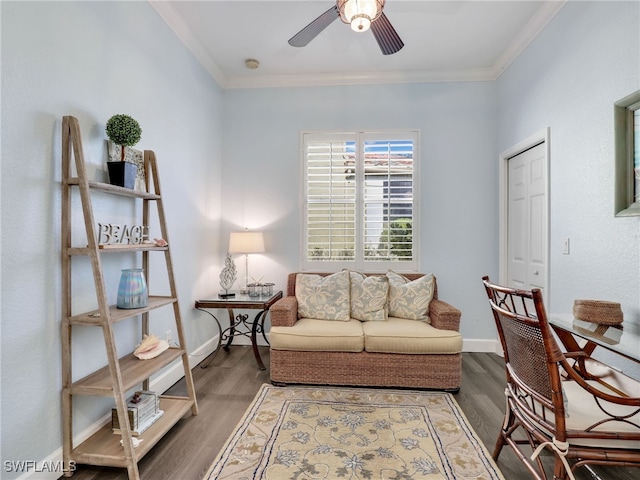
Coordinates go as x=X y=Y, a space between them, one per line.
x=568 y=403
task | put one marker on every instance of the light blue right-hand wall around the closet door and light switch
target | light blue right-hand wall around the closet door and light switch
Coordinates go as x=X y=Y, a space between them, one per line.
x=587 y=58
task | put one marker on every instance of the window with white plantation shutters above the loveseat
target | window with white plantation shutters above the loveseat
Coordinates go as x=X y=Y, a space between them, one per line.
x=359 y=201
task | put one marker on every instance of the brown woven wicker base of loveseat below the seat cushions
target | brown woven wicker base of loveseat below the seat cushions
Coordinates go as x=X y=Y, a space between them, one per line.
x=436 y=371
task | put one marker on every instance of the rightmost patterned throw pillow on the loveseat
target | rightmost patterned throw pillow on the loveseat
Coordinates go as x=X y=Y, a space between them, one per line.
x=410 y=299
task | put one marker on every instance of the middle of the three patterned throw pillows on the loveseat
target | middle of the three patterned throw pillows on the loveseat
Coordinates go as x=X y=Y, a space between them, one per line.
x=369 y=297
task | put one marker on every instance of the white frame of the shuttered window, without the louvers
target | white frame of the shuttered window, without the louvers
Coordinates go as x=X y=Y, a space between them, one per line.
x=360 y=264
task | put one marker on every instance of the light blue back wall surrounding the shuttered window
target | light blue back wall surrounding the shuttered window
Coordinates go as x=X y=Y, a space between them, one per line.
x=458 y=168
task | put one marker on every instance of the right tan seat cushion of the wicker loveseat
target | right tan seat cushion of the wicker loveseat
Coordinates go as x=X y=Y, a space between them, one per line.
x=399 y=335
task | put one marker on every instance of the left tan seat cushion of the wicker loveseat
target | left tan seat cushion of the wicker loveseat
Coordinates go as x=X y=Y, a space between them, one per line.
x=310 y=334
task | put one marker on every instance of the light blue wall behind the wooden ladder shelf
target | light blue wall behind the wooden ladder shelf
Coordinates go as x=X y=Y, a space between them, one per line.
x=92 y=60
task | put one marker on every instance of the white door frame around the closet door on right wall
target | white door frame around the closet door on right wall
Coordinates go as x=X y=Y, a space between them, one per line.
x=539 y=137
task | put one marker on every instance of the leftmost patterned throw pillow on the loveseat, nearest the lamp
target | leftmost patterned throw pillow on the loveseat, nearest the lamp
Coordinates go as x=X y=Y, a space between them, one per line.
x=323 y=298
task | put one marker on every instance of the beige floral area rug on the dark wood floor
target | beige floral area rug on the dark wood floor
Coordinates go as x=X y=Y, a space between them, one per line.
x=304 y=433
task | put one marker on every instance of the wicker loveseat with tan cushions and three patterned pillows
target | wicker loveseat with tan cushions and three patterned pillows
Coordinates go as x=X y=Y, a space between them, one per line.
x=395 y=332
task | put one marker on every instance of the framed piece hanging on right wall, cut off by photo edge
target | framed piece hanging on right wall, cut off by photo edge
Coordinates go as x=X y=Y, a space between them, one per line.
x=626 y=114
